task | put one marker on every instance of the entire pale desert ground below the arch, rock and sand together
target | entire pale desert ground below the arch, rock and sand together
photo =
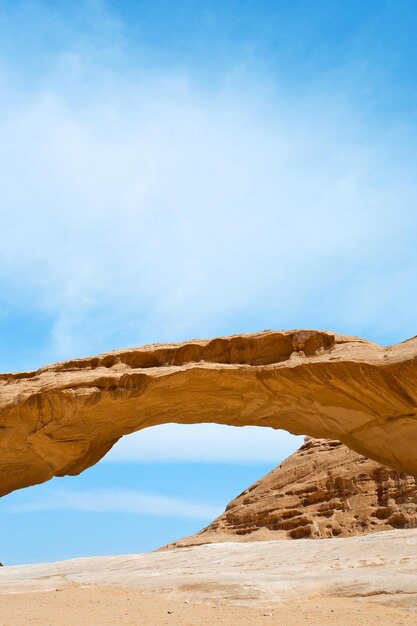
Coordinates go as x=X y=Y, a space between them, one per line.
x=369 y=579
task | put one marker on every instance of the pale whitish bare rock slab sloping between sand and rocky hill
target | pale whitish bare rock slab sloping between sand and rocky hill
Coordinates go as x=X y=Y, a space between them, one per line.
x=378 y=567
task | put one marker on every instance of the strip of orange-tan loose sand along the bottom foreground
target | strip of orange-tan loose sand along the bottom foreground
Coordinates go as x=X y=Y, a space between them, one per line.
x=108 y=607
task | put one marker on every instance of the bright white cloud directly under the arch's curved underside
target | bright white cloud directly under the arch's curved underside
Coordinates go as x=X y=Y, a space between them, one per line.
x=205 y=443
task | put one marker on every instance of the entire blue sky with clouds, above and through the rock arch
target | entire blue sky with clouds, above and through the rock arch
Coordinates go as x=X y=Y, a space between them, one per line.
x=180 y=170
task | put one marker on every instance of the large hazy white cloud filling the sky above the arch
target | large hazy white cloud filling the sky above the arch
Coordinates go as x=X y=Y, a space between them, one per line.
x=144 y=207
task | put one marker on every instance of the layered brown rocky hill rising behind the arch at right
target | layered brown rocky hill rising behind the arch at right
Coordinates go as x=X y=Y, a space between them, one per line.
x=322 y=490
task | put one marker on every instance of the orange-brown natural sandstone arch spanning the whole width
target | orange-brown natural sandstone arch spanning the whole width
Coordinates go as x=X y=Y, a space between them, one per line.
x=63 y=418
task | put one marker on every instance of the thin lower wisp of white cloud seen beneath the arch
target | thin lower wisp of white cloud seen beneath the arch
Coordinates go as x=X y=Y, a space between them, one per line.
x=118 y=501
